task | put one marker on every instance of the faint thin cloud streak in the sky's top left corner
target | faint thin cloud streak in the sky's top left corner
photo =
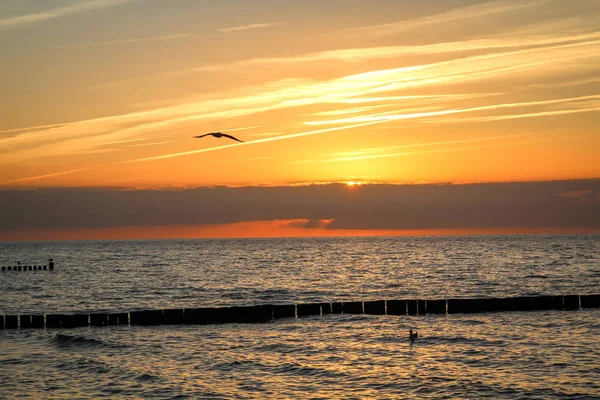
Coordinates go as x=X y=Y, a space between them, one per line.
x=78 y=7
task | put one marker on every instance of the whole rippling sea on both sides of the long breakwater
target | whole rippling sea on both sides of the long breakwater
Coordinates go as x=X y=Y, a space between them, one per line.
x=502 y=355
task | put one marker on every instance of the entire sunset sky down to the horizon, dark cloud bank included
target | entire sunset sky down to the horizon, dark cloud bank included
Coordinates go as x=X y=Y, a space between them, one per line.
x=388 y=104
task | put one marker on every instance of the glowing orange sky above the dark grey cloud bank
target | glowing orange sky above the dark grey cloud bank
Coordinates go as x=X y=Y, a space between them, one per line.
x=109 y=93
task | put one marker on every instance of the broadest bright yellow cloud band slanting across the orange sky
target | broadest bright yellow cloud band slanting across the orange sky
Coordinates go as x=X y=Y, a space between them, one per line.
x=378 y=85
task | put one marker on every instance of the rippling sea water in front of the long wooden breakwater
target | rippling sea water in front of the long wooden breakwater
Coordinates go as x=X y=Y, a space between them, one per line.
x=503 y=355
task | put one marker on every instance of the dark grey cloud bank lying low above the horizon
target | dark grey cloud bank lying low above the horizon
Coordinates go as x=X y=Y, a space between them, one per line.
x=531 y=205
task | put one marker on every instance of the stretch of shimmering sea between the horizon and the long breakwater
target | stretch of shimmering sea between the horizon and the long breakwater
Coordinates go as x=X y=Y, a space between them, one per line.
x=130 y=275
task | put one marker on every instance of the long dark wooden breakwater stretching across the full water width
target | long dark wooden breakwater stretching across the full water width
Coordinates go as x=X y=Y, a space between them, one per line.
x=267 y=312
